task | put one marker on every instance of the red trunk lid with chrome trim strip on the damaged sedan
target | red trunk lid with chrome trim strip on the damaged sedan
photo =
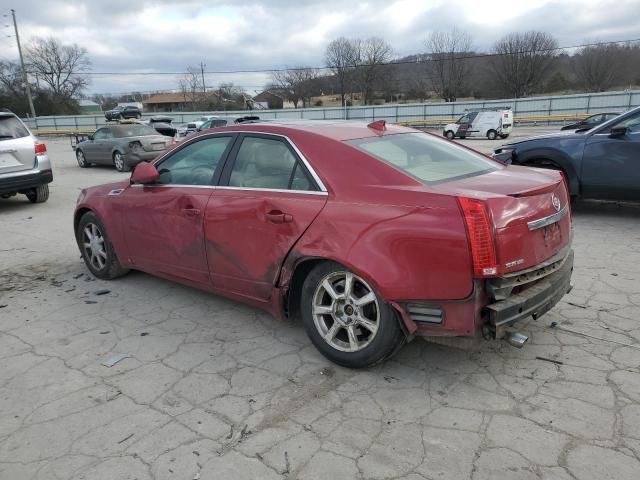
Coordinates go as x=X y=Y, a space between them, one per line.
x=529 y=210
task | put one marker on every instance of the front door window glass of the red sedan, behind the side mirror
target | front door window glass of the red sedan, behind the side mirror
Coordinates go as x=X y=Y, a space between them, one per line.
x=194 y=164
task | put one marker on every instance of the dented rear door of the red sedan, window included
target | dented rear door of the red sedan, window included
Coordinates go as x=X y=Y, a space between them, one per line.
x=267 y=199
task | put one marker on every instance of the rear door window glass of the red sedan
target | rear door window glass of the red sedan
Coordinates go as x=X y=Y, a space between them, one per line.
x=268 y=163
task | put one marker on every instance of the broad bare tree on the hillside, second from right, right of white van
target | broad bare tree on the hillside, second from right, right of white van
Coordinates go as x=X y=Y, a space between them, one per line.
x=522 y=61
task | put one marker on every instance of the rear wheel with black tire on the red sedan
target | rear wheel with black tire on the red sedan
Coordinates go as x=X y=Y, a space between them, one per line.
x=346 y=319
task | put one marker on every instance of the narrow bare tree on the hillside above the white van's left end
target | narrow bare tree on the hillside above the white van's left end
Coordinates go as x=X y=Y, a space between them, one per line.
x=449 y=66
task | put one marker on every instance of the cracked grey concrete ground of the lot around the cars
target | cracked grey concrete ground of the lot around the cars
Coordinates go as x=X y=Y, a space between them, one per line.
x=215 y=390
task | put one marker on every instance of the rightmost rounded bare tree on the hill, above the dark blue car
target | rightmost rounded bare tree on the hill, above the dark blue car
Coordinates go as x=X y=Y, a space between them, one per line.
x=597 y=66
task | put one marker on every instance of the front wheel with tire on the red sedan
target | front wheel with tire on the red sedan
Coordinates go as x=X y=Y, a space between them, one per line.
x=96 y=249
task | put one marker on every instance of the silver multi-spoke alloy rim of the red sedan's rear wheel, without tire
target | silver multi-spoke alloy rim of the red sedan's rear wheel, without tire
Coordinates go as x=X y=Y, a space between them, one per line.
x=345 y=311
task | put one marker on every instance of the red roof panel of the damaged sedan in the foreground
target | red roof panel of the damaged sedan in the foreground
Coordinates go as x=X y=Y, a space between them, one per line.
x=340 y=130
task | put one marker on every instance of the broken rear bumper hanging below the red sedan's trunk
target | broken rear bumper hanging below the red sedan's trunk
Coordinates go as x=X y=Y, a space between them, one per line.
x=534 y=301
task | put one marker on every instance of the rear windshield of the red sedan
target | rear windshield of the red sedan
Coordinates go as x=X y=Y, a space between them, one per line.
x=425 y=157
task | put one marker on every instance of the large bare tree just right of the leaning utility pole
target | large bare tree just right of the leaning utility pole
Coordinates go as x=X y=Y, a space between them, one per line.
x=60 y=67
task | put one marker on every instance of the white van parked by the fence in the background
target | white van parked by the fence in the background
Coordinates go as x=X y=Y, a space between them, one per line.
x=481 y=123
